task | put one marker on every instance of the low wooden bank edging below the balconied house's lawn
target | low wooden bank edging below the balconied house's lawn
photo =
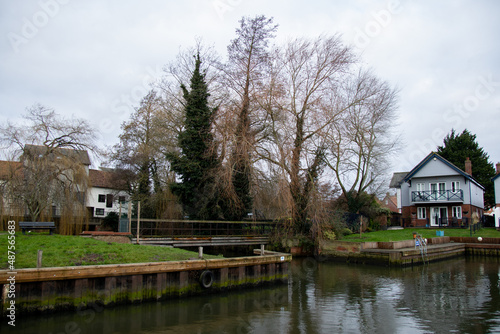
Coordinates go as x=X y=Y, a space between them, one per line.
x=404 y=253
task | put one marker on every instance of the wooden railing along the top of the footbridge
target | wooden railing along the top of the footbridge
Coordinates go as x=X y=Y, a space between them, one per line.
x=200 y=228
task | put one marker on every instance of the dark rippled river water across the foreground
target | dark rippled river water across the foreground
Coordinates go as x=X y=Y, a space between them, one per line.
x=454 y=296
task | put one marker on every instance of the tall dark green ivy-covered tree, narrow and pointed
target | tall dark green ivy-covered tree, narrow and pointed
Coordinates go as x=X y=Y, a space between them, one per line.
x=197 y=161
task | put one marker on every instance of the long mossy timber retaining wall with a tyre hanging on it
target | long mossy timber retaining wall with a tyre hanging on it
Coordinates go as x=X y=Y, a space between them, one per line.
x=69 y=288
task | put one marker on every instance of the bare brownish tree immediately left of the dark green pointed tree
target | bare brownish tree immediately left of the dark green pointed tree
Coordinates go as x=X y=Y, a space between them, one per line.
x=139 y=156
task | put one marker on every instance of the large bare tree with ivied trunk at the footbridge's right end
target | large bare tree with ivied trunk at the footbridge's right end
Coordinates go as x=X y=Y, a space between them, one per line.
x=304 y=77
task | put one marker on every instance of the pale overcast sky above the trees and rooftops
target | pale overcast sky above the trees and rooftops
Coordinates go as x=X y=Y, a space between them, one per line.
x=95 y=59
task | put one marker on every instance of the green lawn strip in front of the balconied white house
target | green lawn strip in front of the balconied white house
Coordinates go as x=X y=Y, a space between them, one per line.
x=398 y=235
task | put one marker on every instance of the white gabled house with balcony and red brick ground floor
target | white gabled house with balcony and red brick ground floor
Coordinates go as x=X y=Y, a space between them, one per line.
x=437 y=193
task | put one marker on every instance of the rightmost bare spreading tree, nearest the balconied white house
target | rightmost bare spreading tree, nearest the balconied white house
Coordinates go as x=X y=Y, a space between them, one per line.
x=360 y=142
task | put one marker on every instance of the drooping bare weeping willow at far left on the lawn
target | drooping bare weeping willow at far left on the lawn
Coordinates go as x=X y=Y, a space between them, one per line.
x=51 y=175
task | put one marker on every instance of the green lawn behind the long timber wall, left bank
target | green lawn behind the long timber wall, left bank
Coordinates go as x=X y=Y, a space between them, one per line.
x=61 y=251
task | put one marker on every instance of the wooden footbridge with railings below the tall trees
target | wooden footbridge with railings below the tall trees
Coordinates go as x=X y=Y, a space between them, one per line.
x=196 y=233
